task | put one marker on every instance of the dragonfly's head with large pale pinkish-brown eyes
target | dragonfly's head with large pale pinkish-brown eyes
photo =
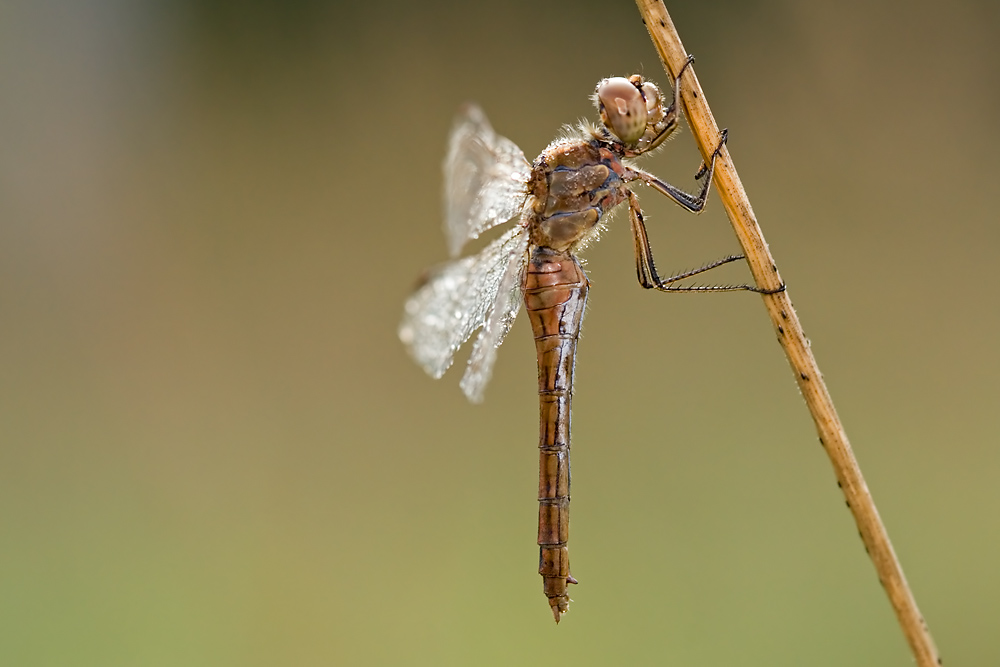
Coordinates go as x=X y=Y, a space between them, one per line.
x=632 y=110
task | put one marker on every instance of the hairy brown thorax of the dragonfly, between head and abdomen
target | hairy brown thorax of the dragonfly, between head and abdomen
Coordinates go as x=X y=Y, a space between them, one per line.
x=573 y=184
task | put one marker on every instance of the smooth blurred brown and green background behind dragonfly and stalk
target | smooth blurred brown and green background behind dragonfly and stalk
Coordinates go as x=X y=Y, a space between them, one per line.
x=214 y=451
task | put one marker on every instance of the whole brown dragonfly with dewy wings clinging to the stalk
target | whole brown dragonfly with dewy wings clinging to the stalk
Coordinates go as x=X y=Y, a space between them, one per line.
x=554 y=207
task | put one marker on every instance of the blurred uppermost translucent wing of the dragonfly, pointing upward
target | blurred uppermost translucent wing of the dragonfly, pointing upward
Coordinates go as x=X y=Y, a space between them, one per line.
x=484 y=179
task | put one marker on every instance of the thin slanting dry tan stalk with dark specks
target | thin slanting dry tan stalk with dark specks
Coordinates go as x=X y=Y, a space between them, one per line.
x=790 y=335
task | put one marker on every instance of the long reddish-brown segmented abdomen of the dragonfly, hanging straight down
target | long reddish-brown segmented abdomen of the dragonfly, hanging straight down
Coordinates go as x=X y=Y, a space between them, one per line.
x=555 y=292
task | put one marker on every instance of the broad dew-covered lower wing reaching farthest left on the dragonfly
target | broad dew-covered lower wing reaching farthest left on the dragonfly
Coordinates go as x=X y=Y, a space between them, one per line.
x=458 y=298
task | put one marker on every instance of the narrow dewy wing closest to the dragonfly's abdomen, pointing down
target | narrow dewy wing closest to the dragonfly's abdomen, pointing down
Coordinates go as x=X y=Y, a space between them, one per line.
x=499 y=322
